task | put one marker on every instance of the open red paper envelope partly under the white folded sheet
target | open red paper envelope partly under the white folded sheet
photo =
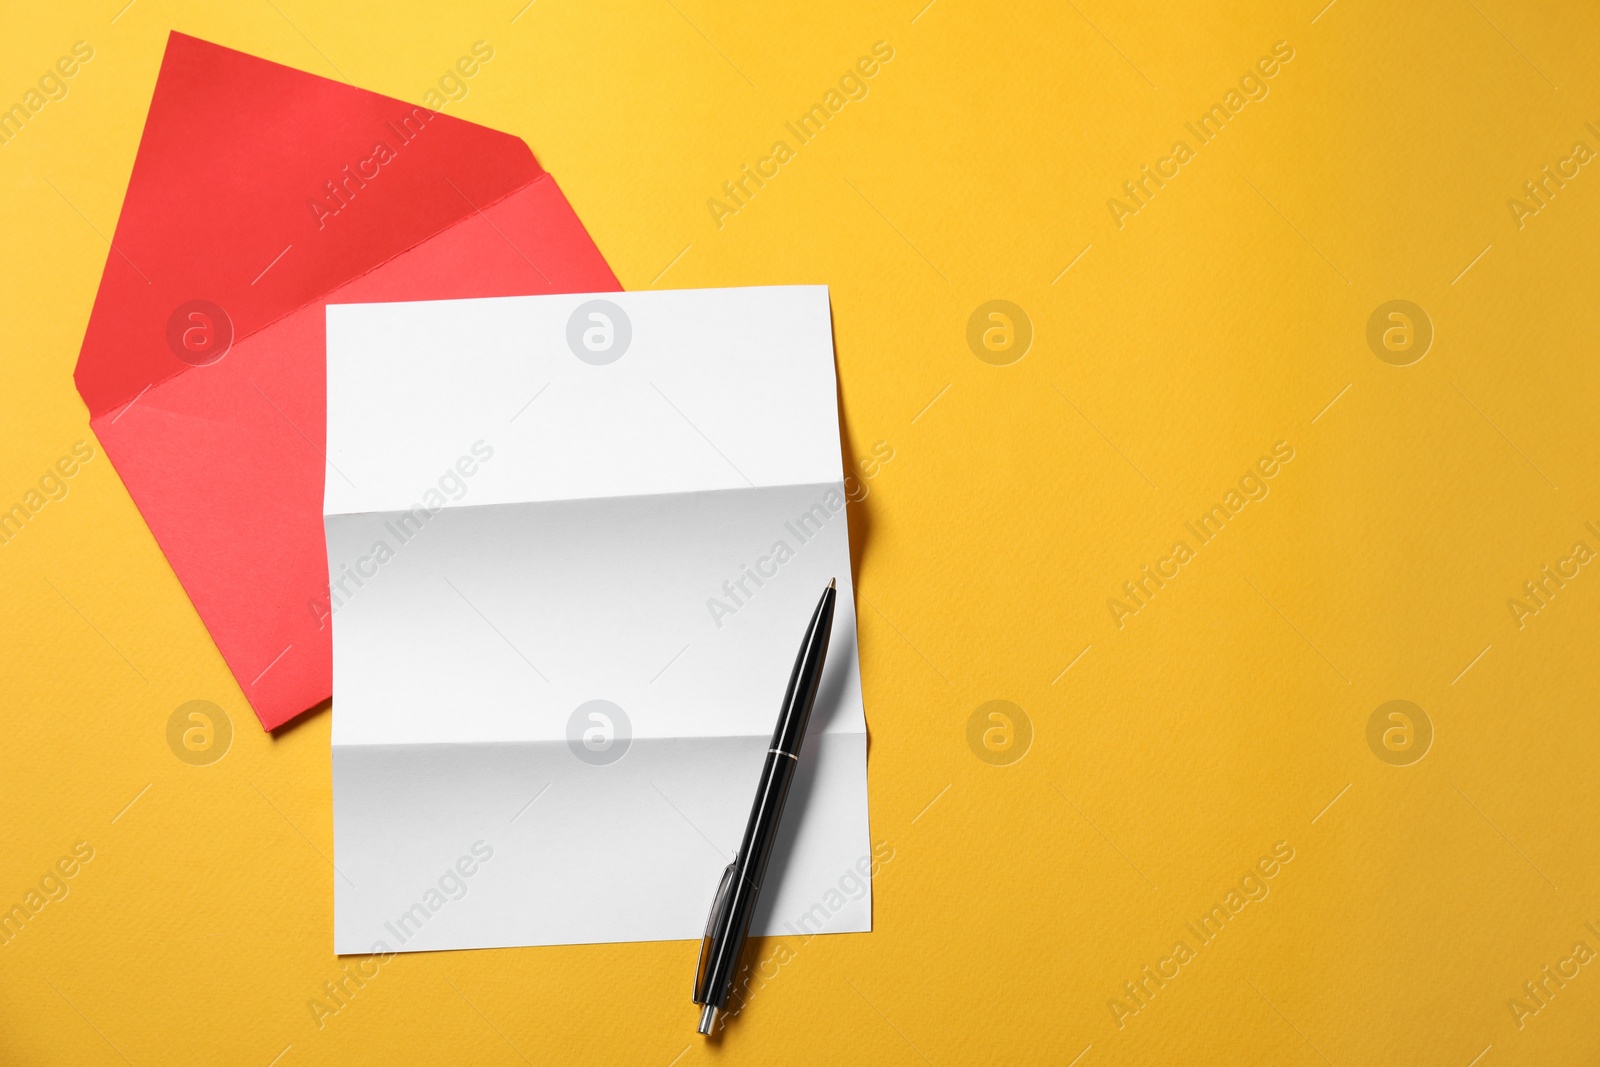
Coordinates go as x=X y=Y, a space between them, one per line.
x=262 y=194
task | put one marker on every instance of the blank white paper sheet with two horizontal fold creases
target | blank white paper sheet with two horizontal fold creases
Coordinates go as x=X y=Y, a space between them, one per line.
x=575 y=556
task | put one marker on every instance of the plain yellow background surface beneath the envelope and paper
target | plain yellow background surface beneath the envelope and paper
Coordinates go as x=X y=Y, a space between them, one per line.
x=1226 y=716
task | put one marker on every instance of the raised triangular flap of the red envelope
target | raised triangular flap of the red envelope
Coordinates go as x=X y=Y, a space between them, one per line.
x=258 y=190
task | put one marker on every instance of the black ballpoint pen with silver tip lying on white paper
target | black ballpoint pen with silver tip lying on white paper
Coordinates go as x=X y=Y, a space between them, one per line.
x=732 y=909
